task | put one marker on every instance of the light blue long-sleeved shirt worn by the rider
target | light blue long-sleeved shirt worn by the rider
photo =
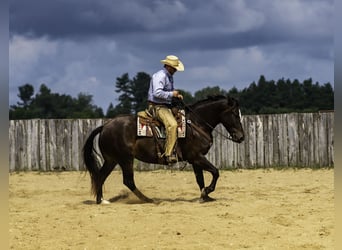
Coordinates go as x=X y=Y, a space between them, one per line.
x=161 y=87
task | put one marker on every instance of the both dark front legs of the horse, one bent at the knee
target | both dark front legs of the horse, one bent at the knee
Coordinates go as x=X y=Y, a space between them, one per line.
x=199 y=166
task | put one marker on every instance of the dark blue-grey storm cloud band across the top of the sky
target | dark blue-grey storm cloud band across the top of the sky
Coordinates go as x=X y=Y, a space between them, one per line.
x=186 y=25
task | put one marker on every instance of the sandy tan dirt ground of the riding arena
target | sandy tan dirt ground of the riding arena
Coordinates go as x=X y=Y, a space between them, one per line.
x=254 y=209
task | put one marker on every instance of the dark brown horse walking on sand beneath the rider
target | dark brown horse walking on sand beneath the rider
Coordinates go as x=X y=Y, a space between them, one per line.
x=119 y=144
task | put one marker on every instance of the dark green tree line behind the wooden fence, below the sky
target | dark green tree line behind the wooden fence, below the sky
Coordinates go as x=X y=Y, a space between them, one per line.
x=261 y=97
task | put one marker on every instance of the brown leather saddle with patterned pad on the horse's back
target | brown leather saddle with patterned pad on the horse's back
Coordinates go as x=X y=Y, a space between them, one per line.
x=149 y=126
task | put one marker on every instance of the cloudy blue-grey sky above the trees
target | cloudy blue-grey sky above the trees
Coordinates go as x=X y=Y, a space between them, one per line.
x=83 y=46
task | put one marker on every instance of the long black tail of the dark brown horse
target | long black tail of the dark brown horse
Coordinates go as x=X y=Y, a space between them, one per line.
x=91 y=161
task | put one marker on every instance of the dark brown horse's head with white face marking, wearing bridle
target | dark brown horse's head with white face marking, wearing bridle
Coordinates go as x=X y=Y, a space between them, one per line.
x=231 y=119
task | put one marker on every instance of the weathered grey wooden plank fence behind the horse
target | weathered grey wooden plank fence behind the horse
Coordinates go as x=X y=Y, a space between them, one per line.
x=277 y=140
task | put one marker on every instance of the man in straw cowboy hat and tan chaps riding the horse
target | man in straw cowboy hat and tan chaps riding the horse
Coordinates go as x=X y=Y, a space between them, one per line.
x=160 y=94
